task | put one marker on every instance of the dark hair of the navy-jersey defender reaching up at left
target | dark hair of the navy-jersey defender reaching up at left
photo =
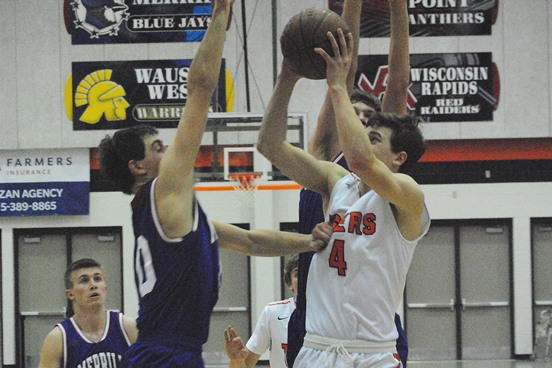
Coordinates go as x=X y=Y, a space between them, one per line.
x=115 y=153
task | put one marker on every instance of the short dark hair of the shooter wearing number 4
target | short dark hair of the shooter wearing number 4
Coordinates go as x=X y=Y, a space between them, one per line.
x=406 y=136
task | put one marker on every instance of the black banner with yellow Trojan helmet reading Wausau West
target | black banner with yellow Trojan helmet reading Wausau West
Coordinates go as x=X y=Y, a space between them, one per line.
x=119 y=94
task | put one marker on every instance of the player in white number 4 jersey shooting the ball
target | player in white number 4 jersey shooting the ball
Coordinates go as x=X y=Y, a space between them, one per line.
x=378 y=215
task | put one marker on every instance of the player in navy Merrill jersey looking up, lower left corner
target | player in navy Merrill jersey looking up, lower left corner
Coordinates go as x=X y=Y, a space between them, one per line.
x=93 y=336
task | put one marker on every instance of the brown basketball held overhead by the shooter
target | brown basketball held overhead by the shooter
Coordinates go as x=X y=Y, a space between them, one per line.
x=305 y=31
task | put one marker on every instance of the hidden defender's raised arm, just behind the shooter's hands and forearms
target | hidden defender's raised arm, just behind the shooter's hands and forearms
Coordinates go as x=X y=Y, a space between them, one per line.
x=324 y=144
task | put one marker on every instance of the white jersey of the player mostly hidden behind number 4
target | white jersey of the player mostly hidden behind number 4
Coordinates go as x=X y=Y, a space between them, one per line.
x=271 y=332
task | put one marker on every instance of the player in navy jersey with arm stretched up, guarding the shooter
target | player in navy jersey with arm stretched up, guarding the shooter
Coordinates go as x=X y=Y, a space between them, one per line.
x=177 y=265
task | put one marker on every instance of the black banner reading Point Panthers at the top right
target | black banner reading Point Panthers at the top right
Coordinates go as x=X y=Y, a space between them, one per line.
x=429 y=17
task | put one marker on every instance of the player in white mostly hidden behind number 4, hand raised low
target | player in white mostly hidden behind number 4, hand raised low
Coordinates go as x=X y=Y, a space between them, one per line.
x=270 y=331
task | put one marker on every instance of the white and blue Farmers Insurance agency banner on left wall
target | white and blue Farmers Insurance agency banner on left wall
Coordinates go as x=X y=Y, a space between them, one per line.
x=45 y=182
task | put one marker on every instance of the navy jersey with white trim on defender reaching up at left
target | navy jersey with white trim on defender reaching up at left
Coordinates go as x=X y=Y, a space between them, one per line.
x=177 y=279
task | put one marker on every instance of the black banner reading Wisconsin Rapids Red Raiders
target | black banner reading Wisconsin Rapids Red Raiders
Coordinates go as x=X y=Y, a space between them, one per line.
x=452 y=87
